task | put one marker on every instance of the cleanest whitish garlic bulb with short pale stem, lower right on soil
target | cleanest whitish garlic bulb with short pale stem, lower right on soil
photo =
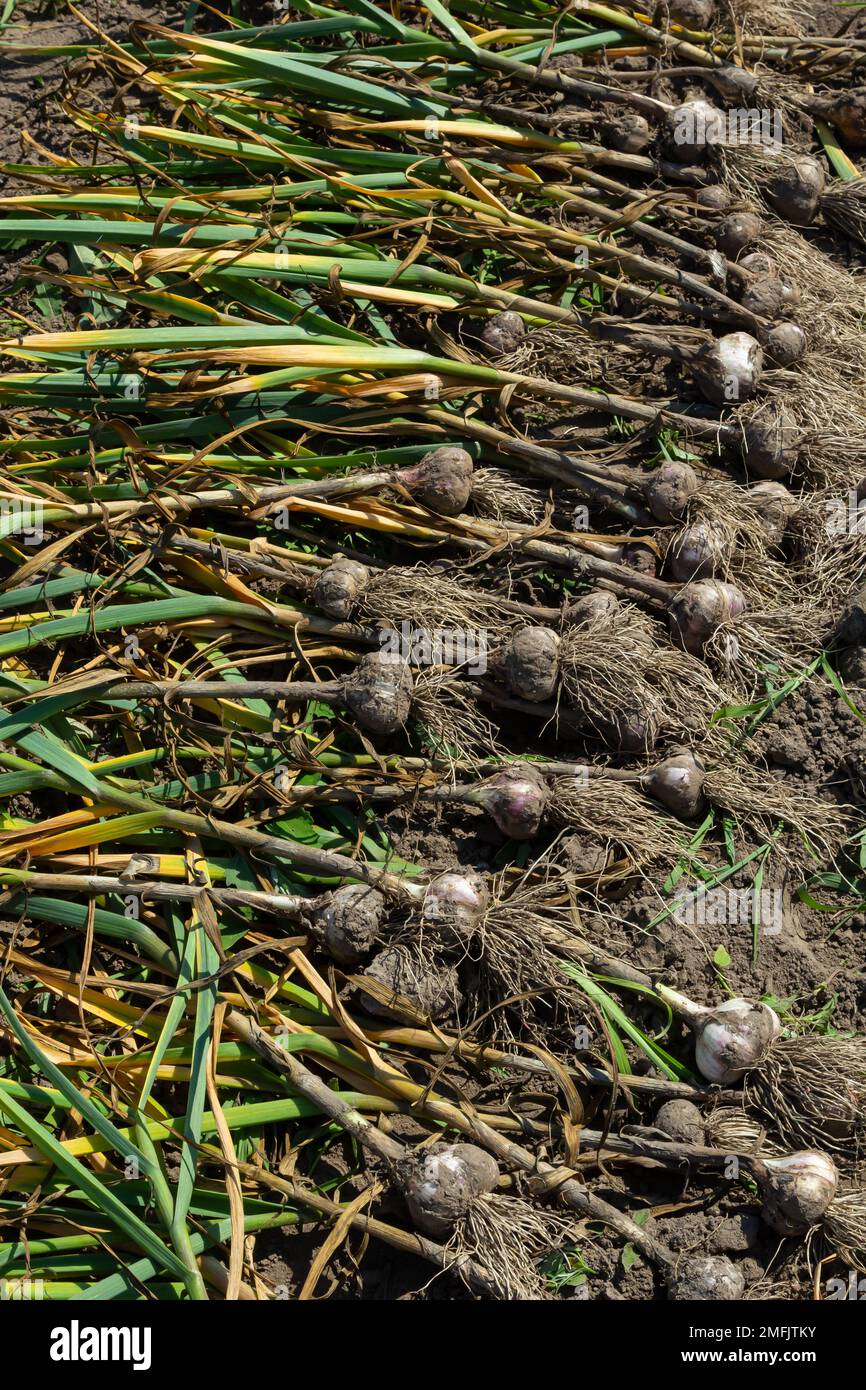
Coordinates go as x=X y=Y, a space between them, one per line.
x=730 y=1039
